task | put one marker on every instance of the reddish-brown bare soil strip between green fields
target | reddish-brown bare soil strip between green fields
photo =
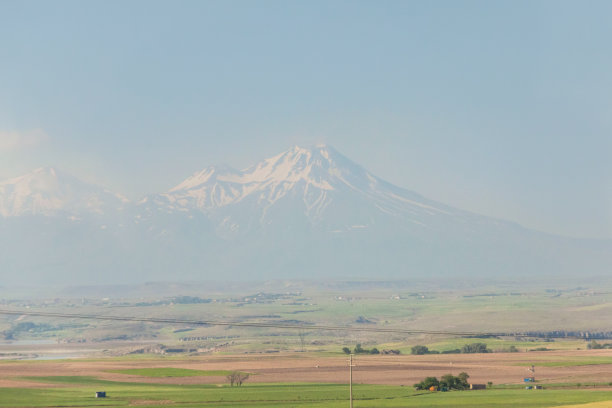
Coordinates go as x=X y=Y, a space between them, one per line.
x=499 y=368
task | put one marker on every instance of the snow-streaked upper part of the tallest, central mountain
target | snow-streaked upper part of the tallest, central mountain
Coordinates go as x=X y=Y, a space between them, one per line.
x=317 y=185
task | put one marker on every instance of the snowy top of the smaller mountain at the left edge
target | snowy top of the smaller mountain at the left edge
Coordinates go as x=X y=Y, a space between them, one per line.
x=47 y=191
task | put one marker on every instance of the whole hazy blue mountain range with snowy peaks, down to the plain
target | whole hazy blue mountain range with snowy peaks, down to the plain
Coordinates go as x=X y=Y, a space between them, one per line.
x=306 y=213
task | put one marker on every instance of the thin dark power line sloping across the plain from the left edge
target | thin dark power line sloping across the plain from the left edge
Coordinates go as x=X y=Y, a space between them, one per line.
x=258 y=324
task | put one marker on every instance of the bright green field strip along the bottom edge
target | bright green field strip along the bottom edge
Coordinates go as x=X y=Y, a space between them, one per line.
x=80 y=391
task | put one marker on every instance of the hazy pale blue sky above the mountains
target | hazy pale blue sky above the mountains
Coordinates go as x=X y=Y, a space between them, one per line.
x=503 y=108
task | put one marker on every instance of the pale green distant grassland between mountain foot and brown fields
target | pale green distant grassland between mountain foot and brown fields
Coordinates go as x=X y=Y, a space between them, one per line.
x=483 y=309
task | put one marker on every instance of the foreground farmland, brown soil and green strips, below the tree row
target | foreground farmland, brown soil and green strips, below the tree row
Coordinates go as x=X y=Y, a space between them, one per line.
x=307 y=379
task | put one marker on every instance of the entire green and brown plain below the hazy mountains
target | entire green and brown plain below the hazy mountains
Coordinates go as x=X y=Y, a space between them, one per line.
x=185 y=365
